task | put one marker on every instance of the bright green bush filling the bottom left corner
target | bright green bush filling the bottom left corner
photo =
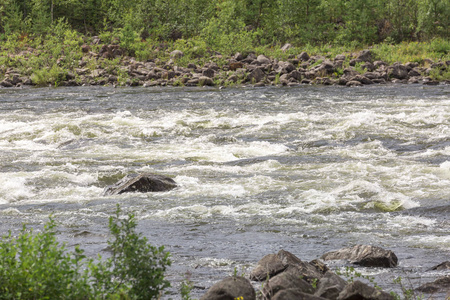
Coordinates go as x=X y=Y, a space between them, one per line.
x=35 y=266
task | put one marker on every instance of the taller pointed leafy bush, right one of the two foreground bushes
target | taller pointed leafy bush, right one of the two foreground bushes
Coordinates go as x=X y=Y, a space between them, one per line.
x=135 y=266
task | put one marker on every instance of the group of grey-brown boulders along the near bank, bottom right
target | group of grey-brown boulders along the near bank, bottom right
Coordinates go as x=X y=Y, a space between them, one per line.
x=285 y=276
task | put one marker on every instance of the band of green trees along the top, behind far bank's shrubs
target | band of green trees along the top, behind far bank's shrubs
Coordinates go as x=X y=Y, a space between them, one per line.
x=262 y=22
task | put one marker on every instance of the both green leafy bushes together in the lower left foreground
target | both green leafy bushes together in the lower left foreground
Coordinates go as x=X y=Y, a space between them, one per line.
x=36 y=266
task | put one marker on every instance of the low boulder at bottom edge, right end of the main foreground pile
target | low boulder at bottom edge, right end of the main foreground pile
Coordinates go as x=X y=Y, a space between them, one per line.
x=361 y=291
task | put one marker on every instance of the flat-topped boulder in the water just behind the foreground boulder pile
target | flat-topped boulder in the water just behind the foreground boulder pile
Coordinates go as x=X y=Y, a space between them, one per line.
x=364 y=255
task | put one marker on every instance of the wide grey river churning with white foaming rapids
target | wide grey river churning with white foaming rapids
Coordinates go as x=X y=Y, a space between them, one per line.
x=306 y=169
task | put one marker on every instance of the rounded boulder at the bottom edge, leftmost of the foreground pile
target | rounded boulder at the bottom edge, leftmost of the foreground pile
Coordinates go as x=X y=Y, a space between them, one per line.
x=231 y=288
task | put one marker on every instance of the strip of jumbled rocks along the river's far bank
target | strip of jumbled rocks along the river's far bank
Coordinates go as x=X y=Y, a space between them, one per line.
x=109 y=66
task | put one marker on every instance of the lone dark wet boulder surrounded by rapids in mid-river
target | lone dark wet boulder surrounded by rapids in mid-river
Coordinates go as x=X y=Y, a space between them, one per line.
x=142 y=183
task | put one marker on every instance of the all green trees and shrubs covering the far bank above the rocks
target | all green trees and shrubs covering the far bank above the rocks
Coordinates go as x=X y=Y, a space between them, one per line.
x=46 y=40
